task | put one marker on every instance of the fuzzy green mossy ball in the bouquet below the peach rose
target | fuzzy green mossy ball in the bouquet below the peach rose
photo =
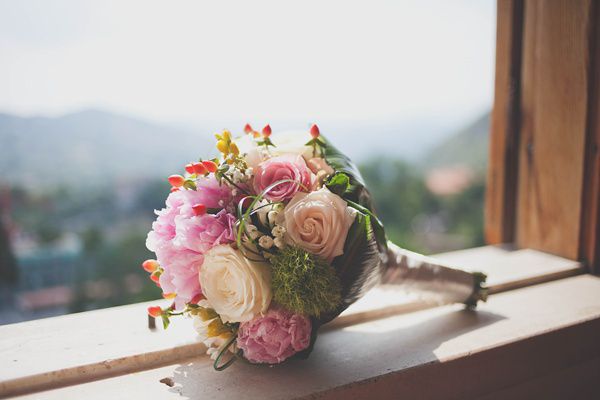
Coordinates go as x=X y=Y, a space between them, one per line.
x=303 y=283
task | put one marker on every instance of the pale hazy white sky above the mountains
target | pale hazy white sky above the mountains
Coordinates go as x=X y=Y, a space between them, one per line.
x=306 y=60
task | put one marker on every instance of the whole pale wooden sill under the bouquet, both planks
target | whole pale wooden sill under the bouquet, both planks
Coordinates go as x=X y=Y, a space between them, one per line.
x=540 y=341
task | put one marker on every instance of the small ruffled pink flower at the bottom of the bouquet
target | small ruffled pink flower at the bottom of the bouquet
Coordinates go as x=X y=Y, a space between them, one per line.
x=274 y=337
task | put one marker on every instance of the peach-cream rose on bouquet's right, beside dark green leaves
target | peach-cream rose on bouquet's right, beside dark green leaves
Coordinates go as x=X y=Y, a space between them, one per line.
x=318 y=222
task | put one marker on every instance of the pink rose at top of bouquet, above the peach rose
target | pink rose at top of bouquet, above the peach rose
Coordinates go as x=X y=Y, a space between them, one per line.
x=288 y=166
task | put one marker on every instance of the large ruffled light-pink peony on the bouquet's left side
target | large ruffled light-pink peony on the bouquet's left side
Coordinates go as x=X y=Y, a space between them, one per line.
x=180 y=238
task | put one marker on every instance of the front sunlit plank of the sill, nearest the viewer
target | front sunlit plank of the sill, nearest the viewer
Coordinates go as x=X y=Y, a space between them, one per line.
x=466 y=354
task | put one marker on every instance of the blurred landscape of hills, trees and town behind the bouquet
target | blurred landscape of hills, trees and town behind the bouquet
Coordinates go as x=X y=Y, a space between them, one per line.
x=75 y=208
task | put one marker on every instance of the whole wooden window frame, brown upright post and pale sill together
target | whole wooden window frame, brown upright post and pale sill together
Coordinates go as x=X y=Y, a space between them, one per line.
x=112 y=354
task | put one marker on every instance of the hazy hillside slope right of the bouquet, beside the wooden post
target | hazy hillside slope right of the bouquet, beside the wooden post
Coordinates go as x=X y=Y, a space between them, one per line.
x=469 y=147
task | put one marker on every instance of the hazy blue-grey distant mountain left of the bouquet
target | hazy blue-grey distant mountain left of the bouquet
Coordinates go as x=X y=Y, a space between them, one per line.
x=92 y=147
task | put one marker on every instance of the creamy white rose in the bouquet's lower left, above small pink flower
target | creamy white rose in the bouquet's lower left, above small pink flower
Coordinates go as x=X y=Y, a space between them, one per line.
x=237 y=288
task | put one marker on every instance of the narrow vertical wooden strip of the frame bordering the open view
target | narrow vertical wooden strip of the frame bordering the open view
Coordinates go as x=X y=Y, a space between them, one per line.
x=504 y=130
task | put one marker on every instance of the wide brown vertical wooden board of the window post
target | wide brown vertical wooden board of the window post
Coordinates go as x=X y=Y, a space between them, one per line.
x=555 y=84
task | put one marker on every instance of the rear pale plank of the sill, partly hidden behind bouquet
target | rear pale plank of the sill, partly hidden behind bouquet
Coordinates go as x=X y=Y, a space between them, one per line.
x=99 y=344
